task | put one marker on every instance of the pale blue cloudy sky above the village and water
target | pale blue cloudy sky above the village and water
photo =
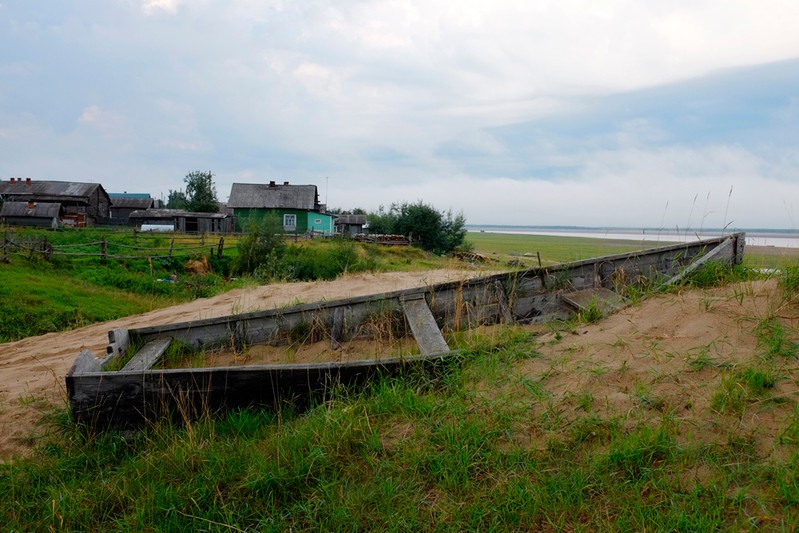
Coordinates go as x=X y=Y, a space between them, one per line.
x=624 y=113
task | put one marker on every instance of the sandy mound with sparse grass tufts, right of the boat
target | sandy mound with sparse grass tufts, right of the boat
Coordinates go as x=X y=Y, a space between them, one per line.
x=678 y=357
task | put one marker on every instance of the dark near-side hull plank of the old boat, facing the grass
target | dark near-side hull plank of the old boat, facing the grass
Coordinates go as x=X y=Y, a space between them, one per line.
x=126 y=399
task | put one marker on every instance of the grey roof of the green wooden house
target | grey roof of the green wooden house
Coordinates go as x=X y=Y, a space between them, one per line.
x=267 y=196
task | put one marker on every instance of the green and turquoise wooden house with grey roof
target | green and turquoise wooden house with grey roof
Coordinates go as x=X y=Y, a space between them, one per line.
x=297 y=207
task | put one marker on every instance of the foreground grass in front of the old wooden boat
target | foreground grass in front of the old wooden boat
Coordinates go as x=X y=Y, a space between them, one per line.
x=401 y=454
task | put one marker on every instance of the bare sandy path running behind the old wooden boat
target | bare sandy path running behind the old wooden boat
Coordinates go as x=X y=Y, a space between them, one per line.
x=32 y=370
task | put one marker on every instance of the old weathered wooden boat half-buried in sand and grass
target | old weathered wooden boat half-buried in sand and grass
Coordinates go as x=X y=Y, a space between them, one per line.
x=100 y=397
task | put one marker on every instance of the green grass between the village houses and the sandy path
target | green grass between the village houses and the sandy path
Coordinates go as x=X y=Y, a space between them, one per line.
x=39 y=296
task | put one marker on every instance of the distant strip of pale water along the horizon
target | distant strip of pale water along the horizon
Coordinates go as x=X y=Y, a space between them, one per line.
x=754 y=237
